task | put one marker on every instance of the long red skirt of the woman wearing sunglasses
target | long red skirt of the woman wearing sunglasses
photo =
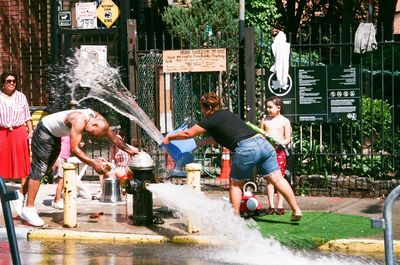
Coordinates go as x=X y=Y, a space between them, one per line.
x=15 y=159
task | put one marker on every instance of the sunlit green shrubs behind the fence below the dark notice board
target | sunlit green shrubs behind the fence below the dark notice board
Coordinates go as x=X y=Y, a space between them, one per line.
x=362 y=148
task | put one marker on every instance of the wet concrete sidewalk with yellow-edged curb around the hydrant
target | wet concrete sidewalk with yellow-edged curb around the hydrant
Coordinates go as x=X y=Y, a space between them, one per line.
x=109 y=221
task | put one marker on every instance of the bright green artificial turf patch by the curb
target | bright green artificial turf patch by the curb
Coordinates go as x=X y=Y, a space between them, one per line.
x=315 y=228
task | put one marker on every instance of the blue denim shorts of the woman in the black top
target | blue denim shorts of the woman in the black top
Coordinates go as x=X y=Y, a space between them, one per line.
x=250 y=154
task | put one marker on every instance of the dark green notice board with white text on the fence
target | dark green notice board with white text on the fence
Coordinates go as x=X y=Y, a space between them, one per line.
x=327 y=94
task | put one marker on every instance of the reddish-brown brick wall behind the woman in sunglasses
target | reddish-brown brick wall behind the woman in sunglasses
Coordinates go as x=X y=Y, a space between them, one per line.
x=24 y=45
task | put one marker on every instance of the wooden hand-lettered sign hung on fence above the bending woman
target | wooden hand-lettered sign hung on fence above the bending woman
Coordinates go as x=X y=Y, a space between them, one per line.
x=194 y=60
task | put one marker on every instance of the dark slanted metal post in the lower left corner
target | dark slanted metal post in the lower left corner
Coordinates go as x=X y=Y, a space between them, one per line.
x=6 y=197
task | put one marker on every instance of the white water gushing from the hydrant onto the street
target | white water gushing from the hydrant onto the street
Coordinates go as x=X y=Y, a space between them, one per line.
x=243 y=244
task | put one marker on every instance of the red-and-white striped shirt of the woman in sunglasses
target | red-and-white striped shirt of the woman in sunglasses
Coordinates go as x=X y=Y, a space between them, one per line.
x=14 y=111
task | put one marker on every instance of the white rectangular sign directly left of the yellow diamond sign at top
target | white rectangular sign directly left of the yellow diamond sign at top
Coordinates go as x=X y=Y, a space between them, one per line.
x=86 y=15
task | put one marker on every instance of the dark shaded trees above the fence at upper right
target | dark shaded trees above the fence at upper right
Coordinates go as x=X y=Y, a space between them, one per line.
x=296 y=13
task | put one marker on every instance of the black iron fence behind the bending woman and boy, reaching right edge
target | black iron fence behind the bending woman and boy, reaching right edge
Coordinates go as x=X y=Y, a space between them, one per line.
x=348 y=158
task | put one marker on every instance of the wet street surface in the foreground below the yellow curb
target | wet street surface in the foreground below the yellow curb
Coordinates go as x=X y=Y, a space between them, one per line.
x=70 y=252
